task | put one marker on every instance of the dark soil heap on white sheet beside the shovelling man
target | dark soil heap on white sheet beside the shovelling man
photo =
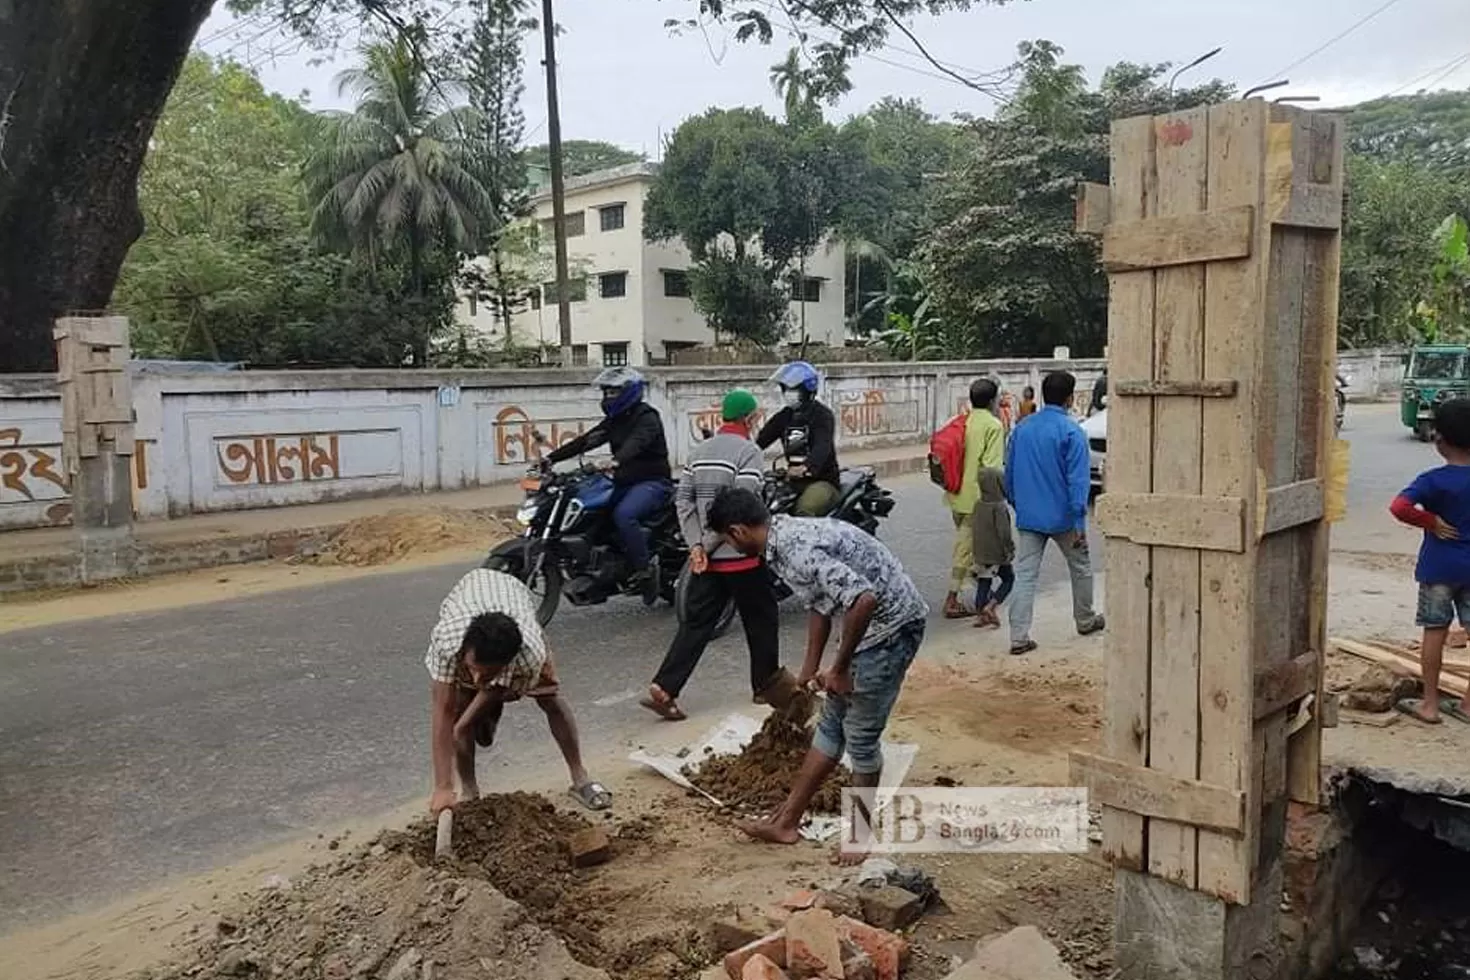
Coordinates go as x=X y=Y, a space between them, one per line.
x=762 y=775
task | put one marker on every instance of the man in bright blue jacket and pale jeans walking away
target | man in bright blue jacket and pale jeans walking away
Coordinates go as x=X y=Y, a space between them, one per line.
x=1047 y=483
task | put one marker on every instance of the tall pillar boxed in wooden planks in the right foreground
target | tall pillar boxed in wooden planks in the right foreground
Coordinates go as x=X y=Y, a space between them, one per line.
x=1221 y=237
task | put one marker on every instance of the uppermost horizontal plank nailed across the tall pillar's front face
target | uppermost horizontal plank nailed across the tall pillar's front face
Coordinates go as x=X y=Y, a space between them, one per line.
x=1183 y=240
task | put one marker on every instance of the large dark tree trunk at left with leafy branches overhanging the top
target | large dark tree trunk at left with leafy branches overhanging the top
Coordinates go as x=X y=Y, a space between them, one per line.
x=83 y=84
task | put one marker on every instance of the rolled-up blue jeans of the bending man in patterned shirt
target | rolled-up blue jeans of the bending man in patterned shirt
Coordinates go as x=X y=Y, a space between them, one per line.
x=856 y=722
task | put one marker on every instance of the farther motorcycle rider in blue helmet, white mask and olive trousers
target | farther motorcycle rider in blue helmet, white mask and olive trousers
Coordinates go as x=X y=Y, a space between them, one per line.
x=808 y=433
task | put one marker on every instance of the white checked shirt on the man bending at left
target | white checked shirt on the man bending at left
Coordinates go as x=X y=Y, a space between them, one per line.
x=478 y=593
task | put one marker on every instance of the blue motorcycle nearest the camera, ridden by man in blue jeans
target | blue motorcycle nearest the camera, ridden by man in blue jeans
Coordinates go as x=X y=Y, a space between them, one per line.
x=571 y=549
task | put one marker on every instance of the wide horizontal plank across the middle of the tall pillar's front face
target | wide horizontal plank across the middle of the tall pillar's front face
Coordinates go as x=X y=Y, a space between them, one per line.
x=1175 y=521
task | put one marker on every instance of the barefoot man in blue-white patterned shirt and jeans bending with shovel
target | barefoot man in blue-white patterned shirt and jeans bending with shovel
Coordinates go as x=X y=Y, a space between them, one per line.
x=839 y=572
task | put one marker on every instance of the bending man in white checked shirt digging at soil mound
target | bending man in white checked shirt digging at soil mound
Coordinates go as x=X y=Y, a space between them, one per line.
x=487 y=652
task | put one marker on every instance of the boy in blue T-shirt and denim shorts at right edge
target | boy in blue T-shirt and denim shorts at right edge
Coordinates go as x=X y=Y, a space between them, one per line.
x=1438 y=502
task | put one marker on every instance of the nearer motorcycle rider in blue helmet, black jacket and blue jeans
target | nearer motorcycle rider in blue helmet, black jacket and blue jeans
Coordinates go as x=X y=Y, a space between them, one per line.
x=642 y=477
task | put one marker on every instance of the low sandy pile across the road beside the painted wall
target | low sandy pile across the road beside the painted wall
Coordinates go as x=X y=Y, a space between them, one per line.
x=404 y=534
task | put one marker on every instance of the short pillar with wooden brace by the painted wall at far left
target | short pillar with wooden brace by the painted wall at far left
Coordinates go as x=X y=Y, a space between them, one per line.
x=98 y=442
